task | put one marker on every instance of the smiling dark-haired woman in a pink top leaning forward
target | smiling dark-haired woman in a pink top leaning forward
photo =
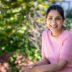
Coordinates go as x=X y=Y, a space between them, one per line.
x=56 y=44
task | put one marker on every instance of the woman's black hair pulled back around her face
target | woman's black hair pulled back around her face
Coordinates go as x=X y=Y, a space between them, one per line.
x=56 y=7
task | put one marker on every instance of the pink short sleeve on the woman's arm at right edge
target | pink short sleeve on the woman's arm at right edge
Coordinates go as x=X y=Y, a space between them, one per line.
x=66 y=50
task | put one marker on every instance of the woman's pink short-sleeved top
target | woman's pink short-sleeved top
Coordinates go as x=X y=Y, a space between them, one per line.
x=56 y=48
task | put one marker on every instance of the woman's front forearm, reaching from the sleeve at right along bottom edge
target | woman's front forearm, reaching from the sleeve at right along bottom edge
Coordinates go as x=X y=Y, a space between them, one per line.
x=51 y=67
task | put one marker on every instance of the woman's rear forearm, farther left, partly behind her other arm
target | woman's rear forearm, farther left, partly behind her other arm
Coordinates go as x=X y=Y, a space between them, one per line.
x=29 y=68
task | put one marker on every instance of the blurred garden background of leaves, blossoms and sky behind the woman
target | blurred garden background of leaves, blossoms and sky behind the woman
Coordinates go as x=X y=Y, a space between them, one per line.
x=21 y=26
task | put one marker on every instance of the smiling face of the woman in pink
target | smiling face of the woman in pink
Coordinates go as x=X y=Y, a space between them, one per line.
x=54 y=21
